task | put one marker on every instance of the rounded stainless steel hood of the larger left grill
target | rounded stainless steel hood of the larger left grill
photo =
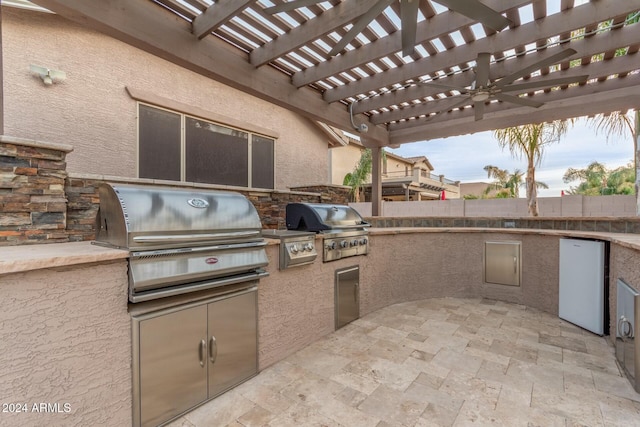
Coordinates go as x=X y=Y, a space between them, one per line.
x=138 y=217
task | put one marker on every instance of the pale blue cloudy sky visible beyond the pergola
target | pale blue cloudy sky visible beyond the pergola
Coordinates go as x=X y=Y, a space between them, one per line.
x=463 y=158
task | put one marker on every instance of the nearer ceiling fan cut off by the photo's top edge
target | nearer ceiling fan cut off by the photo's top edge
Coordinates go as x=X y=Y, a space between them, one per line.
x=472 y=9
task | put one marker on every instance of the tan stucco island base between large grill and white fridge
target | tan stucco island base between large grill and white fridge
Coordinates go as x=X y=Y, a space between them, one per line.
x=296 y=306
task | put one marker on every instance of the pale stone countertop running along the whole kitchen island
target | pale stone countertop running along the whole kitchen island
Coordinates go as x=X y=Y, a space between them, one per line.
x=17 y=259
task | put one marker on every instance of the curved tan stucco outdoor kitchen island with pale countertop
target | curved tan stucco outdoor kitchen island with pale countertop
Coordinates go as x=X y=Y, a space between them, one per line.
x=66 y=325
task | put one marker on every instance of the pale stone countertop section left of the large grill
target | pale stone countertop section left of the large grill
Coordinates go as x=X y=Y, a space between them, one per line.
x=19 y=259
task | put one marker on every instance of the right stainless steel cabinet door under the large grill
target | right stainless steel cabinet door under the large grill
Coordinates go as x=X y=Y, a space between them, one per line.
x=233 y=349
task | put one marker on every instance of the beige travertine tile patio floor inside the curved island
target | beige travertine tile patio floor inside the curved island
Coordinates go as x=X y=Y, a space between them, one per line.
x=438 y=362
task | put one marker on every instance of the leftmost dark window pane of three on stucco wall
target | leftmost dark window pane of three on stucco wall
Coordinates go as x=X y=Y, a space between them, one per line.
x=159 y=139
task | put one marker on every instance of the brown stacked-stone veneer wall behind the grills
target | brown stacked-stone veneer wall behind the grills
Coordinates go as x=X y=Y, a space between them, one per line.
x=40 y=203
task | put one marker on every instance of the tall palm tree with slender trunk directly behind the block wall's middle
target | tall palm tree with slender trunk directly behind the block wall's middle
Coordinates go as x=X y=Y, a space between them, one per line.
x=529 y=141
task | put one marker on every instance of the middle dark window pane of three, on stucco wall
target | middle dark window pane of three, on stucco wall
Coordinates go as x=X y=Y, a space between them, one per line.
x=215 y=154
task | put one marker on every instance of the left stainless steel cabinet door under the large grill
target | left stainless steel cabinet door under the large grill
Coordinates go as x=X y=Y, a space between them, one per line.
x=172 y=364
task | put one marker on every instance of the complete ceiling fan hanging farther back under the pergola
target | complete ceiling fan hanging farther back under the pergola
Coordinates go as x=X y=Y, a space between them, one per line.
x=482 y=89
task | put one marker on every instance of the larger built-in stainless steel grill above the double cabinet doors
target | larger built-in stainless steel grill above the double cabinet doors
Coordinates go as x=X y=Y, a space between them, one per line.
x=181 y=240
